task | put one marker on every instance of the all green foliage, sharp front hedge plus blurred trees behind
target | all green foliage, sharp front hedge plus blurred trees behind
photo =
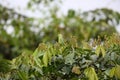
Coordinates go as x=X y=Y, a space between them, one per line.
x=78 y=45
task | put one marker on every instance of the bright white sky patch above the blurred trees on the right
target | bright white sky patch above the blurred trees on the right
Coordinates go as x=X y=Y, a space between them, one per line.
x=86 y=5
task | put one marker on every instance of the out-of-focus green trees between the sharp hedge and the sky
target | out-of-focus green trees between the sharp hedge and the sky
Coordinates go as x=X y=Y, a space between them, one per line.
x=27 y=34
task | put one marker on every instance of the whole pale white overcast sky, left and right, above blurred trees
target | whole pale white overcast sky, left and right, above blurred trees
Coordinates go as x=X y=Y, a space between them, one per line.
x=83 y=5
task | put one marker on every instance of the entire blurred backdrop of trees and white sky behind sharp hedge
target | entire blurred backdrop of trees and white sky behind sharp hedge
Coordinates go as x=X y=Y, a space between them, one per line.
x=26 y=23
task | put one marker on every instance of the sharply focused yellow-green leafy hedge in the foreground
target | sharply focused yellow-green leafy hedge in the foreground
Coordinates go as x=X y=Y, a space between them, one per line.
x=64 y=60
